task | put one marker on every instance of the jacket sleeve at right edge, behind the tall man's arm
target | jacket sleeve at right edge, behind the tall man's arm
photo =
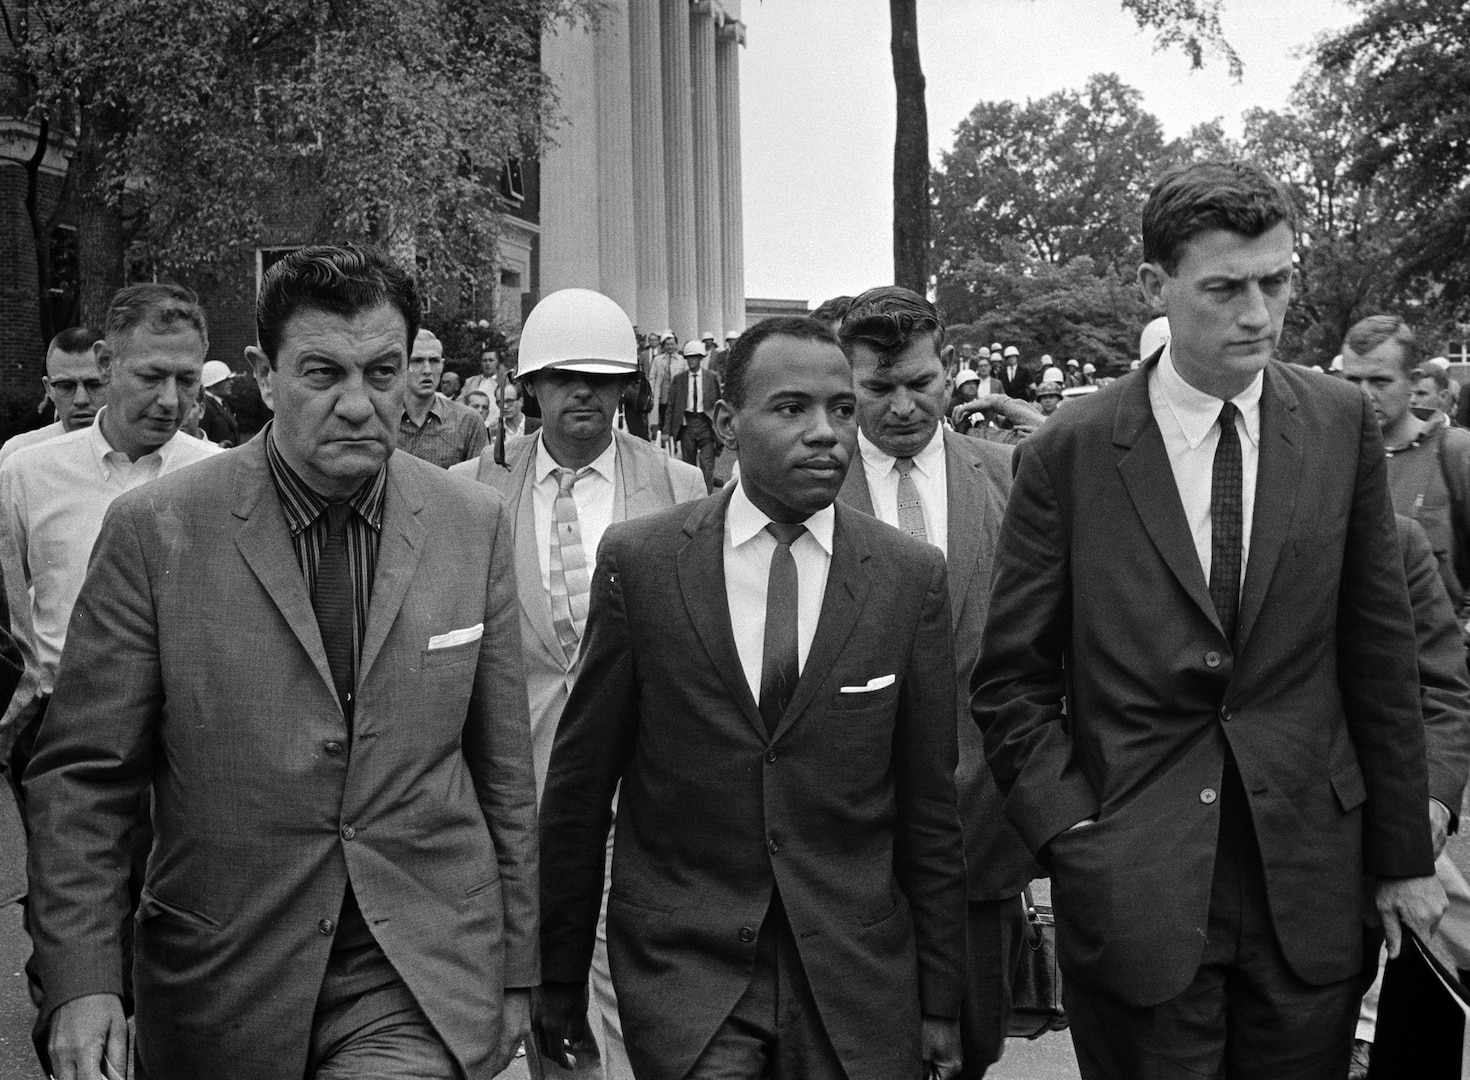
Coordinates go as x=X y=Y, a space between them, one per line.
x=1444 y=685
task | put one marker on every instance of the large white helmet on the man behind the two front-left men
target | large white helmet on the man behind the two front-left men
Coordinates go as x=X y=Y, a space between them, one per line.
x=578 y=331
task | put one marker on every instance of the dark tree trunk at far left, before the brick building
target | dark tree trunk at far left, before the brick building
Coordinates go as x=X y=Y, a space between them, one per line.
x=99 y=212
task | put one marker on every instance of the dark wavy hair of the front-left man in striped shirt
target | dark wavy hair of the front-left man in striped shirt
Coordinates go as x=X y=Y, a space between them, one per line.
x=334 y=280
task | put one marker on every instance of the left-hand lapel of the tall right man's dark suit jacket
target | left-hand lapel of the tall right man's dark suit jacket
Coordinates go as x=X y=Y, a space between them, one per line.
x=1150 y=483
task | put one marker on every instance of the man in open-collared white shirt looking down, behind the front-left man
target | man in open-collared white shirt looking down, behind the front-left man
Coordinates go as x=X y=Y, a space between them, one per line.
x=54 y=496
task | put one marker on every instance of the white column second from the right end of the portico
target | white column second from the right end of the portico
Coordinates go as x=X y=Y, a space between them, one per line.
x=706 y=170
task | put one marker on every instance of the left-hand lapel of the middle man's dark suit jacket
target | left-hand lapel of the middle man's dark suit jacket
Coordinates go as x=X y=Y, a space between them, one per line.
x=702 y=584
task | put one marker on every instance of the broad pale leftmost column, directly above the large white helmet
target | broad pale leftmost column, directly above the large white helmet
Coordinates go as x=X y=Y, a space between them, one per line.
x=570 y=205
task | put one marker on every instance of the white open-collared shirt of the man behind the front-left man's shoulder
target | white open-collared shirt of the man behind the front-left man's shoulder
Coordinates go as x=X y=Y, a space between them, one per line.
x=54 y=496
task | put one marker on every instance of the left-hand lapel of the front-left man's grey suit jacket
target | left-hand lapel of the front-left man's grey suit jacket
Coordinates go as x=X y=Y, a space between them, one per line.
x=265 y=544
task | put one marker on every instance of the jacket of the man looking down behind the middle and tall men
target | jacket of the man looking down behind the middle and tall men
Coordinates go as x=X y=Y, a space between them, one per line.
x=978 y=478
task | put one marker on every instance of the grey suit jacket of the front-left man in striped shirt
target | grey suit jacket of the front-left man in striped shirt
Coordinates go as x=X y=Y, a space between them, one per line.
x=236 y=725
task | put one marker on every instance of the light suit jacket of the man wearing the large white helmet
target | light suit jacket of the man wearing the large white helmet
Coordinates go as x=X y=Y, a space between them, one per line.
x=648 y=481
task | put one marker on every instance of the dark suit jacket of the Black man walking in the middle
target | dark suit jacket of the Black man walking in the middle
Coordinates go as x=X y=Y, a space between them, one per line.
x=849 y=810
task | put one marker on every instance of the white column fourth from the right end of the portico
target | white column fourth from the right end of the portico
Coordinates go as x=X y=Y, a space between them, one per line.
x=650 y=223
